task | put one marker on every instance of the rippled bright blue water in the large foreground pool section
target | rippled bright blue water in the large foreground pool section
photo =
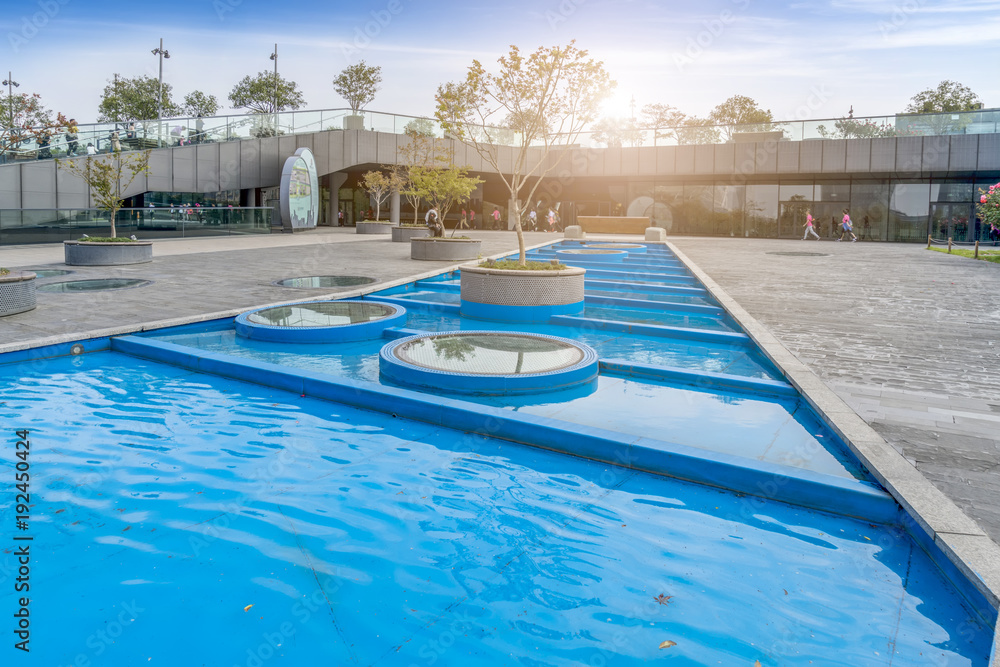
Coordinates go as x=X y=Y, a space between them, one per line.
x=182 y=519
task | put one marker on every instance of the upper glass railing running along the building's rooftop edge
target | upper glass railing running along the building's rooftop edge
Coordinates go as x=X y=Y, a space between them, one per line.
x=98 y=138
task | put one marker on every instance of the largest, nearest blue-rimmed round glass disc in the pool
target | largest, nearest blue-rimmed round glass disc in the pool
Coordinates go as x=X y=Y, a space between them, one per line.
x=488 y=362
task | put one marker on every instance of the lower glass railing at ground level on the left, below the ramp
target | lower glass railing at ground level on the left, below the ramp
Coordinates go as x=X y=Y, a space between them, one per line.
x=27 y=226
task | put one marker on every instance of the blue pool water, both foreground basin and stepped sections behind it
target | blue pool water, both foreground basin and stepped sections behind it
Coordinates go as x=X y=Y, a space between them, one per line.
x=186 y=518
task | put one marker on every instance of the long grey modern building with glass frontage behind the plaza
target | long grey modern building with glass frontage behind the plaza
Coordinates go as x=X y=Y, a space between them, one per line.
x=922 y=180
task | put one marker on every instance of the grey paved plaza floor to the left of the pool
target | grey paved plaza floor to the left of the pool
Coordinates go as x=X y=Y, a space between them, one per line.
x=192 y=277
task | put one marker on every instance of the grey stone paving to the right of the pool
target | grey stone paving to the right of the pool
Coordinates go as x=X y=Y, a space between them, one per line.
x=916 y=330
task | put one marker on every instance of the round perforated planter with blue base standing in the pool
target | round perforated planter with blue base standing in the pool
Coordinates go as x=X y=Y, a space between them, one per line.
x=506 y=295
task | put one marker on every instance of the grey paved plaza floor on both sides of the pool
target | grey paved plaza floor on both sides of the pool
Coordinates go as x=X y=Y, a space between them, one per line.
x=907 y=337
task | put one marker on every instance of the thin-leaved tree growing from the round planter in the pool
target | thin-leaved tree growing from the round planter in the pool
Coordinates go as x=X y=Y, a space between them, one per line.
x=552 y=95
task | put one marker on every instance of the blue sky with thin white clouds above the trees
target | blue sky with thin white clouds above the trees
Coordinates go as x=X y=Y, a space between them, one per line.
x=801 y=59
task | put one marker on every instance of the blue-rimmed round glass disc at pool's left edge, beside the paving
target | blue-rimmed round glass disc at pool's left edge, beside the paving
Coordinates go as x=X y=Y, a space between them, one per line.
x=320 y=321
